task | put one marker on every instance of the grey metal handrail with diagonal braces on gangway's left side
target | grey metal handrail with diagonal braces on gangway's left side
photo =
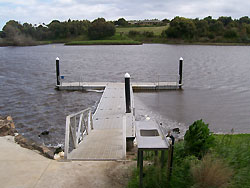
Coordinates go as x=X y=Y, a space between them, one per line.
x=78 y=125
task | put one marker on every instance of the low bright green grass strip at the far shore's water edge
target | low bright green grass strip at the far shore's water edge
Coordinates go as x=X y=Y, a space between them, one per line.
x=104 y=42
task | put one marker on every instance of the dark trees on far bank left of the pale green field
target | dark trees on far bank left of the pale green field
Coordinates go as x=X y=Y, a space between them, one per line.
x=17 y=34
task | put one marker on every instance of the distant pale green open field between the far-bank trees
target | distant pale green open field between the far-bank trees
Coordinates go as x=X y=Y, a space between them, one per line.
x=156 y=30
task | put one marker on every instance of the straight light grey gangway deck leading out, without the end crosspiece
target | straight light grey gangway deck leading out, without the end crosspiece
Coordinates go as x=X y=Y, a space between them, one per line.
x=107 y=141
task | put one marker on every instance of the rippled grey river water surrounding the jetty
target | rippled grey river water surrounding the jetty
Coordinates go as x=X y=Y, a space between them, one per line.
x=216 y=84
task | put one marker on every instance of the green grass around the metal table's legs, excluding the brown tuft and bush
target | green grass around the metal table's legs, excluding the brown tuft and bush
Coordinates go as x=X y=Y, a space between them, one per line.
x=232 y=150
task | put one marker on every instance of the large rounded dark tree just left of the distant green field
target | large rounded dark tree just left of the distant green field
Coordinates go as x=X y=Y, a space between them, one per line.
x=99 y=29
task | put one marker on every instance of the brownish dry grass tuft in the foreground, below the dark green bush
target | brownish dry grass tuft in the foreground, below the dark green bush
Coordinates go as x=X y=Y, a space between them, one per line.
x=210 y=172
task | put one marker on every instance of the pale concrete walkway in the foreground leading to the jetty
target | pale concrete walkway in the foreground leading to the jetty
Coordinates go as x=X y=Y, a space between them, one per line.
x=23 y=168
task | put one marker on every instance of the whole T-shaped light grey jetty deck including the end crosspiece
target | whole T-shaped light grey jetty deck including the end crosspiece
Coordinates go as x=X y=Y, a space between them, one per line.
x=107 y=141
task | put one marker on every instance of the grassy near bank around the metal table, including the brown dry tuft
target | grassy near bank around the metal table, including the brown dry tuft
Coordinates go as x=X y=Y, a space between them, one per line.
x=228 y=159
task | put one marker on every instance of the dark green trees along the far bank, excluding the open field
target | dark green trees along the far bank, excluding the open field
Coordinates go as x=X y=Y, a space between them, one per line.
x=223 y=29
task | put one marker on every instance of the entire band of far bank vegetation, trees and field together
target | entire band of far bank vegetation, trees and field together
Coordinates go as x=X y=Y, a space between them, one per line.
x=178 y=30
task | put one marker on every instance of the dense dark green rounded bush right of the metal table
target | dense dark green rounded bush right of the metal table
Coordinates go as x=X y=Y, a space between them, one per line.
x=198 y=139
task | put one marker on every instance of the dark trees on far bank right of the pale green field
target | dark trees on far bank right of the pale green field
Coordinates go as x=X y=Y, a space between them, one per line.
x=223 y=29
